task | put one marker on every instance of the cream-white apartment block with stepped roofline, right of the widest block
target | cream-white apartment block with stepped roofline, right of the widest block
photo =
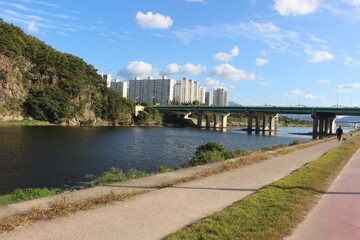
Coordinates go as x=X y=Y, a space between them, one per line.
x=188 y=91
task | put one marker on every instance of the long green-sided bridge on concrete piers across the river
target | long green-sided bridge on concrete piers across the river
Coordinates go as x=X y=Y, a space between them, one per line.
x=323 y=117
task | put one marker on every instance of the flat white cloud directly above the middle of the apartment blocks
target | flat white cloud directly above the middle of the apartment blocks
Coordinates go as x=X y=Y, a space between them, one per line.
x=188 y=69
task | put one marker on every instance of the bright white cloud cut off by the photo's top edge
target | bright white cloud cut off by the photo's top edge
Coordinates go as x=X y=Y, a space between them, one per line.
x=296 y=7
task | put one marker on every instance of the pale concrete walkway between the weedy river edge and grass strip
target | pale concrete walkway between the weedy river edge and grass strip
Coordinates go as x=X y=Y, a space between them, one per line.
x=156 y=214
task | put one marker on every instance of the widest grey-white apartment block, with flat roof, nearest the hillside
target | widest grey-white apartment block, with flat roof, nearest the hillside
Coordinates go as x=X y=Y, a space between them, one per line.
x=153 y=91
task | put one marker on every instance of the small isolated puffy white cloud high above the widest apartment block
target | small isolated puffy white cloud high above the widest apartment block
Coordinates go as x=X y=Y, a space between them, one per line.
x=150 y=20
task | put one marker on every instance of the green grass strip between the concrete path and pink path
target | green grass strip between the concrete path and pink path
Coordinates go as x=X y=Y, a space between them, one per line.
x=274 y=211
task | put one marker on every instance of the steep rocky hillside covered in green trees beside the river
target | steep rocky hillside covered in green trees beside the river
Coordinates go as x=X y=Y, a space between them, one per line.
x=38 y=82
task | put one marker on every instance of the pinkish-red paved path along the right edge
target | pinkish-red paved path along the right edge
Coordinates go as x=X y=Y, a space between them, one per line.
x=337 y=214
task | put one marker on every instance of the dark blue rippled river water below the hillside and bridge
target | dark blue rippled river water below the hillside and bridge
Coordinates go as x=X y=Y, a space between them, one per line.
x=34 y=156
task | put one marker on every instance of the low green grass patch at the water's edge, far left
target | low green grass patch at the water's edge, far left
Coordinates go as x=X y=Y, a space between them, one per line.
x=21 y=195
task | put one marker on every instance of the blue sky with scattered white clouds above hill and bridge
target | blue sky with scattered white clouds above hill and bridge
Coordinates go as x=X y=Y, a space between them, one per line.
x=264 y=52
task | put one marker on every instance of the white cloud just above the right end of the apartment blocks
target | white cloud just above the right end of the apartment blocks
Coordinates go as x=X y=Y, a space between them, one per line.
x=228 y=72
